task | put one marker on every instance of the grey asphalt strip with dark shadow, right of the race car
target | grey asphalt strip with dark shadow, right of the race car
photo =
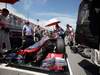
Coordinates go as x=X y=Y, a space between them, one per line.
x=80 y=65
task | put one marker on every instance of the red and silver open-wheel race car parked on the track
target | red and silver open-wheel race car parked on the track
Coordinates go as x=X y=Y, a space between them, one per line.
x=48 y=54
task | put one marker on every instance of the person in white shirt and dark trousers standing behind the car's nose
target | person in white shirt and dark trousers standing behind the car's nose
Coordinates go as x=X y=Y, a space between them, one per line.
x=27 y=35
